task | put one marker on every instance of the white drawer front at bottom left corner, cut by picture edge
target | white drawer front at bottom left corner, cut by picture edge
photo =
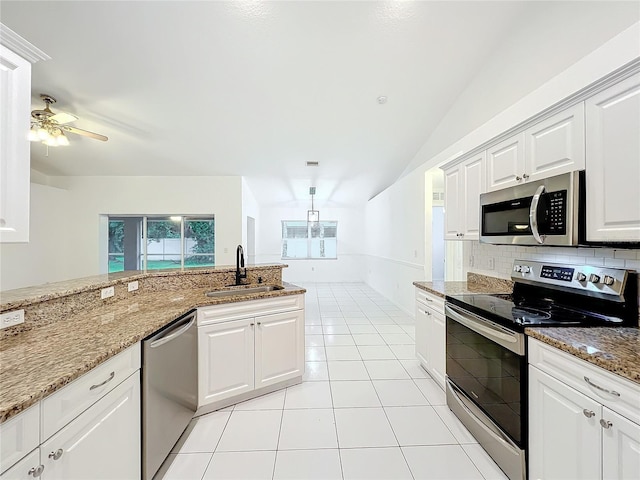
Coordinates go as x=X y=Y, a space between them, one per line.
x=18 y=436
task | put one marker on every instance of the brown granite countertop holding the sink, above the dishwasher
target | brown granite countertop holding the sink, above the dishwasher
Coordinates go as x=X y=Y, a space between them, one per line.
x=39 y=361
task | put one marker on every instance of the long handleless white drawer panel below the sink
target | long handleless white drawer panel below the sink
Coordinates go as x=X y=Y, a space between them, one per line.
x=250 y=308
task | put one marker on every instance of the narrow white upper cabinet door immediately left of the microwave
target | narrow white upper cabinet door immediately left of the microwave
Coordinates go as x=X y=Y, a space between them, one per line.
x=474 y=180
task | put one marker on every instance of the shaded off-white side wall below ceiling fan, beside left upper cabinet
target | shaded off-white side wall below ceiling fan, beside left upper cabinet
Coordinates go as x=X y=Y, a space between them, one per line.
x=47 y=257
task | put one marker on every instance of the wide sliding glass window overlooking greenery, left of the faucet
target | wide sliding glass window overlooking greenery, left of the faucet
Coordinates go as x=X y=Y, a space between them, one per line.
x=148 y=243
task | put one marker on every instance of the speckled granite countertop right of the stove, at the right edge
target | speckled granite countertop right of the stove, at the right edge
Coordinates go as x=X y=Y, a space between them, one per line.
x=616 y=349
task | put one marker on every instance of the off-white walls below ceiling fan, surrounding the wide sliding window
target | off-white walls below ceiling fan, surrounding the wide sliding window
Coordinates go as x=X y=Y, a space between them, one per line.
x=66 y=224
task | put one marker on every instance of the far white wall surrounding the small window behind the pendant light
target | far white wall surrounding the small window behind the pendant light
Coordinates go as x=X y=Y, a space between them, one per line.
x=346 y=268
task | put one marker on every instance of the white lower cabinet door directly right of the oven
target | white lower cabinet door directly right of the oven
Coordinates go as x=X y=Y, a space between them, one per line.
x=564 y=431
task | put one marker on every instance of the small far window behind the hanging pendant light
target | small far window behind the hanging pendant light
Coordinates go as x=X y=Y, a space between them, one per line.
x=316 y=240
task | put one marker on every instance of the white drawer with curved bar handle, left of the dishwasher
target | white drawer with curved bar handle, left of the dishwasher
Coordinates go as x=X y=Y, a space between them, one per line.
x=67 y=403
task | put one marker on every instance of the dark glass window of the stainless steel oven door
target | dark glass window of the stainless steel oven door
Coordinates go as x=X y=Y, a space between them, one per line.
x=489 y=374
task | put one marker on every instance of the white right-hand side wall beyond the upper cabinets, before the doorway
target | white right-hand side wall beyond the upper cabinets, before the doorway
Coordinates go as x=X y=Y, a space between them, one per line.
x=395 y=240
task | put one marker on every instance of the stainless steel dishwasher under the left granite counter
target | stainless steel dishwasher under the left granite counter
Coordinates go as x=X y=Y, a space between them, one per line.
x=169 y=389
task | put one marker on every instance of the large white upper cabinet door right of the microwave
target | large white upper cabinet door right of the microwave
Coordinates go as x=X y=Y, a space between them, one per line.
x=613 y=163
